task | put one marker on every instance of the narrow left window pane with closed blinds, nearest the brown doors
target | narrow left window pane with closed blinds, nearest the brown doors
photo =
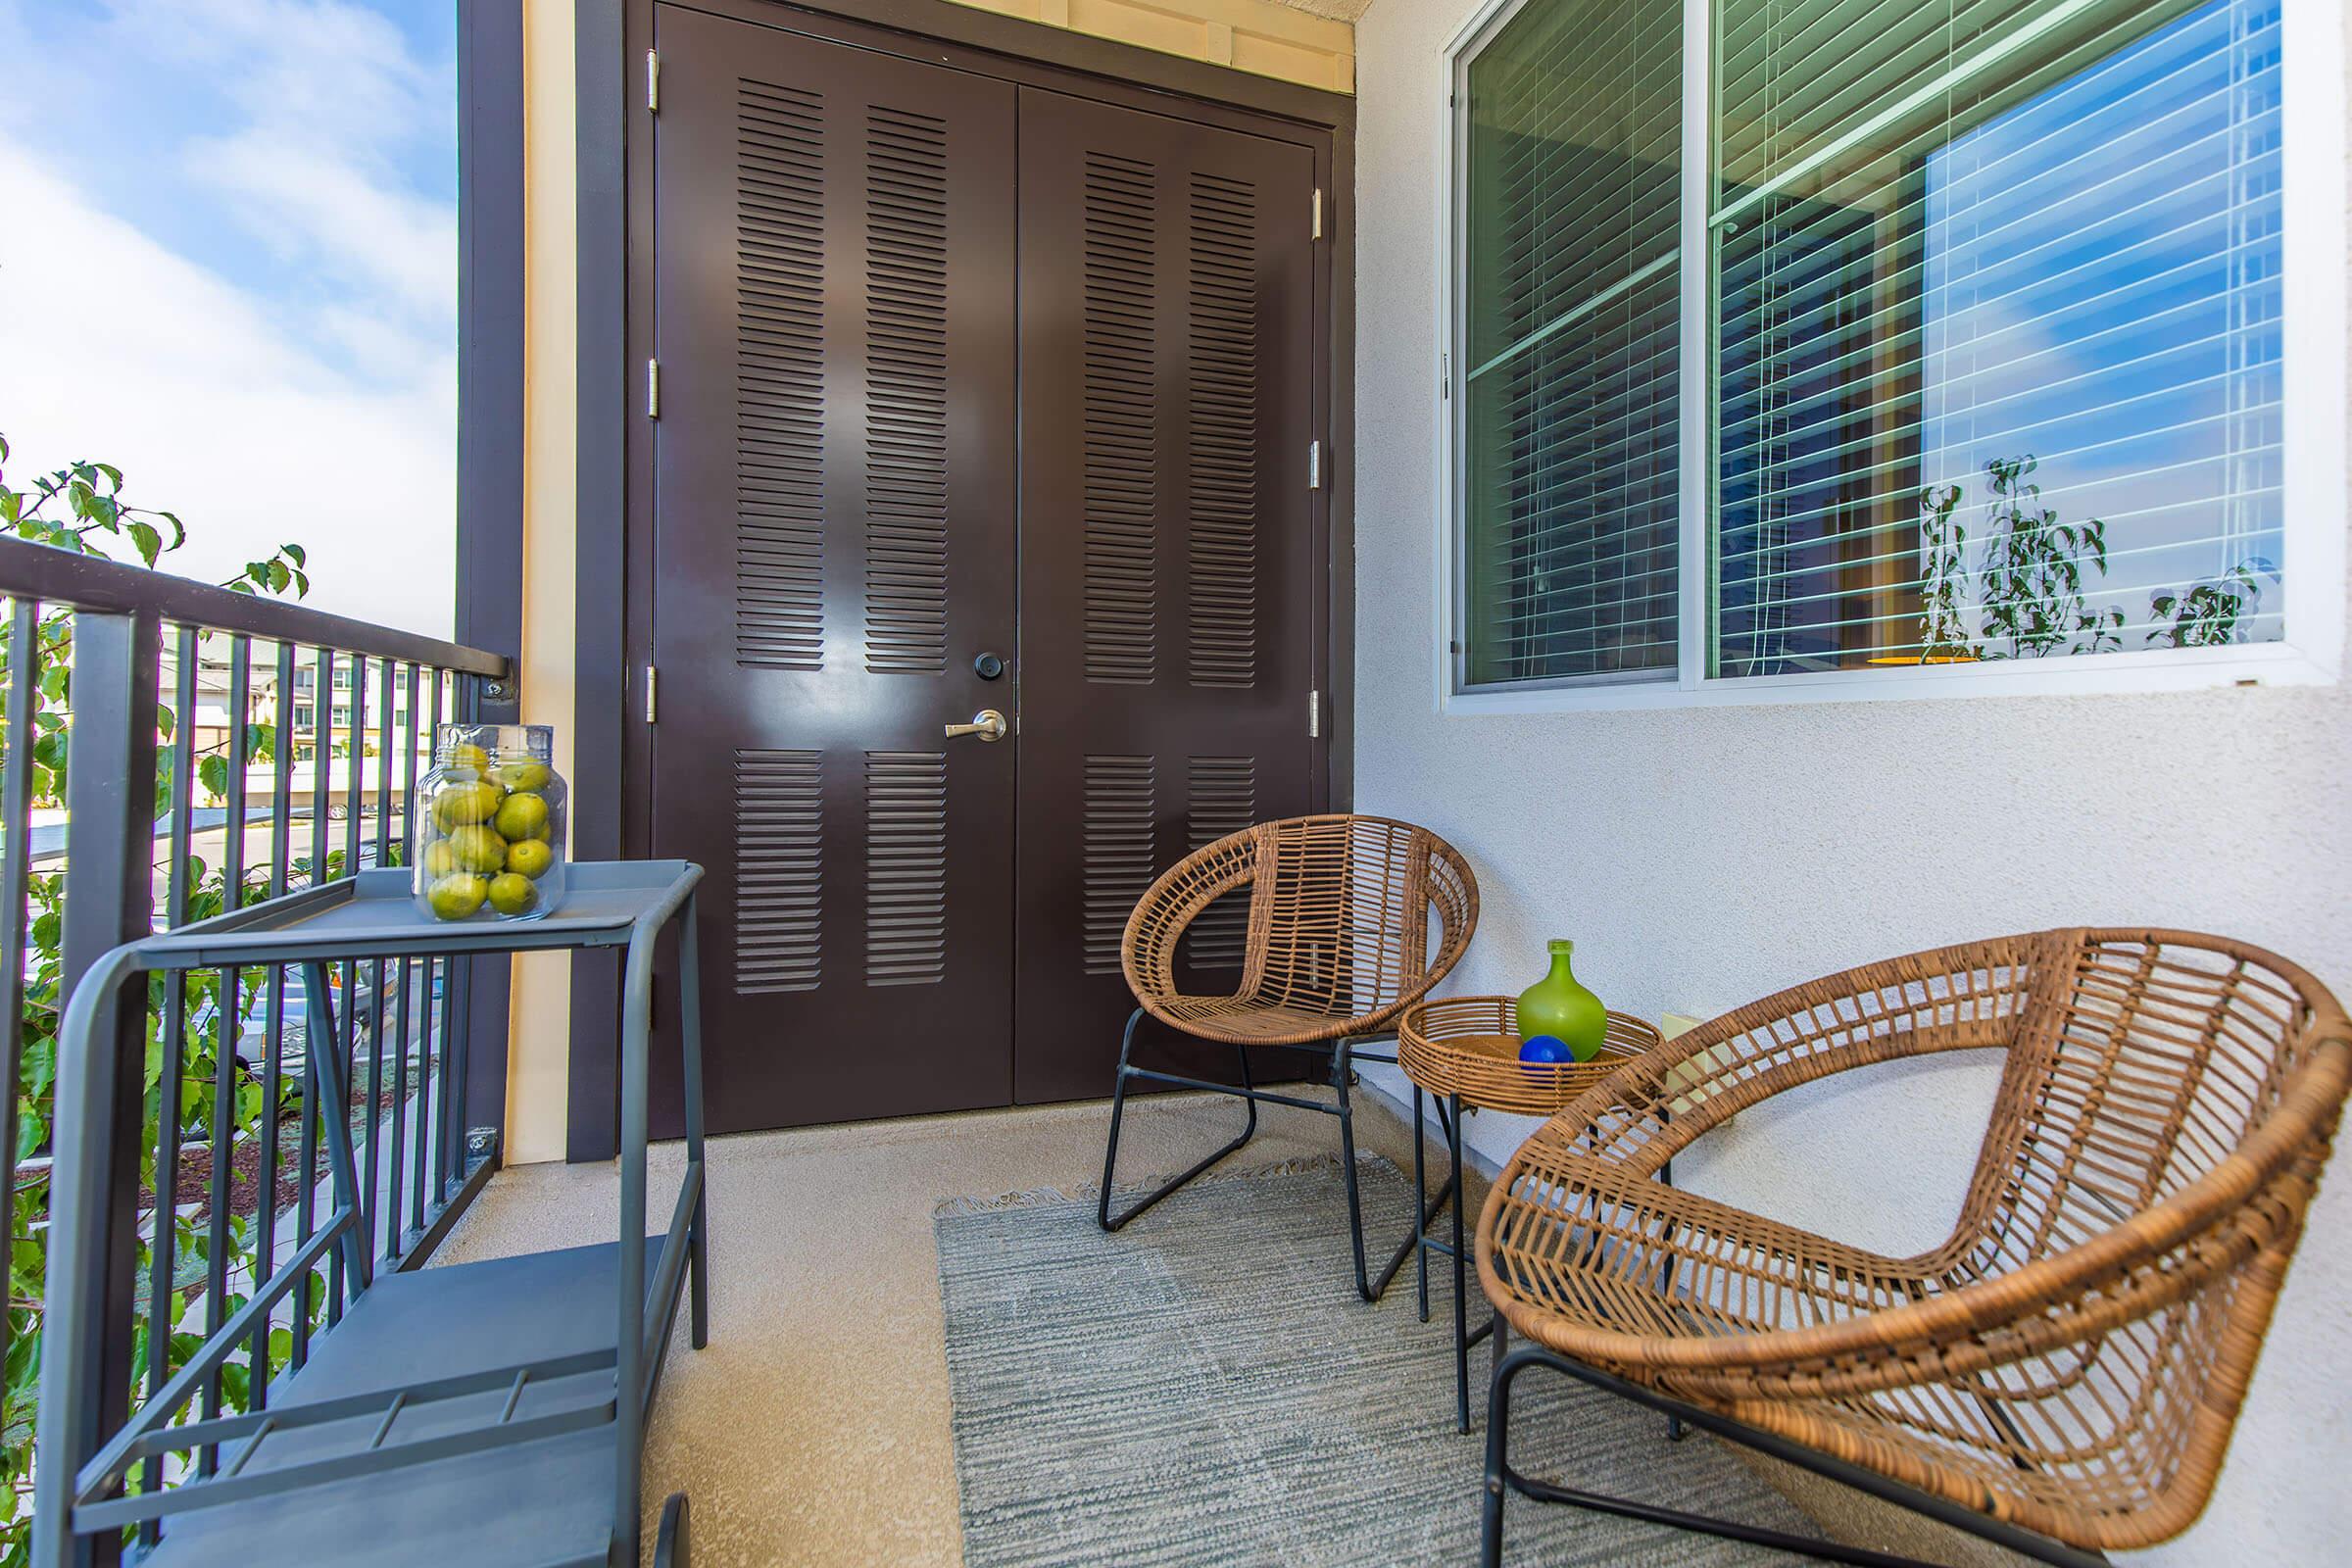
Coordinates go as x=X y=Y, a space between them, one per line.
x=1570 y=222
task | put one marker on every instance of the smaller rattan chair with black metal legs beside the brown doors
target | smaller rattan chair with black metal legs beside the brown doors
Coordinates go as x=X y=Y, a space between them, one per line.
x=1351 y=920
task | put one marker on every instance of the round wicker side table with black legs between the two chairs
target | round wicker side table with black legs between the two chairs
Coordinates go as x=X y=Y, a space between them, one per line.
x=1466 y=1054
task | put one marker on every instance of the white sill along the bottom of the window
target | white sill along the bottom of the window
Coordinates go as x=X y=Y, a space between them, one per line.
x=2109 y=674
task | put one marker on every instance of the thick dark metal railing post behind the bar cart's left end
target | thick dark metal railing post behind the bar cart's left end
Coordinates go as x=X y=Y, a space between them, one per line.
x=112 y=902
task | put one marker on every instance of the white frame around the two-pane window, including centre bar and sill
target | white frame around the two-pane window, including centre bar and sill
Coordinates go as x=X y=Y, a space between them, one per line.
x=2316 y=269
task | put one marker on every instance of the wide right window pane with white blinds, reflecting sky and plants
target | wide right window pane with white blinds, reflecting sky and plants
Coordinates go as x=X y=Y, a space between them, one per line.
x=1998 y=330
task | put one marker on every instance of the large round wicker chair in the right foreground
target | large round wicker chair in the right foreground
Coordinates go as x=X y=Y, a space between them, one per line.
x=2064 y=1374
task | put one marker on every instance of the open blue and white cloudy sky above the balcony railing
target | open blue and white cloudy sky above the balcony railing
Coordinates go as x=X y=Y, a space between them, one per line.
x=229 y=267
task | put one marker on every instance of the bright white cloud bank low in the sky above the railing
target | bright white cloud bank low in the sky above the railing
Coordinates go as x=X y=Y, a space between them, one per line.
x=220 y=408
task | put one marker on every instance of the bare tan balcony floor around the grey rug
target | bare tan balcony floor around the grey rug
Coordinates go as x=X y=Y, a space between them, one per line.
x=815 y=1426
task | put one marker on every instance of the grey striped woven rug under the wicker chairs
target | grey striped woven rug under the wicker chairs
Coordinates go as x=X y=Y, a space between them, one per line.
x=1205 y=1388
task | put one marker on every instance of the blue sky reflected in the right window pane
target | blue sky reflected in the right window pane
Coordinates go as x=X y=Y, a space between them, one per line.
x=2104 y=293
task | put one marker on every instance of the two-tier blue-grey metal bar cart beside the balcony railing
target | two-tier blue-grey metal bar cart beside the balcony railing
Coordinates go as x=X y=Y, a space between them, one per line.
x=453 y=1416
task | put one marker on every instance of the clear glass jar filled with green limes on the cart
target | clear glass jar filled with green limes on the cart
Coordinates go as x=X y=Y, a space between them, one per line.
x=490 y=824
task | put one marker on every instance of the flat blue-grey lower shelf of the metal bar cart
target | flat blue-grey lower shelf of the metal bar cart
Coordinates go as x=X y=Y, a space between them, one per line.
x=540 y=1503
